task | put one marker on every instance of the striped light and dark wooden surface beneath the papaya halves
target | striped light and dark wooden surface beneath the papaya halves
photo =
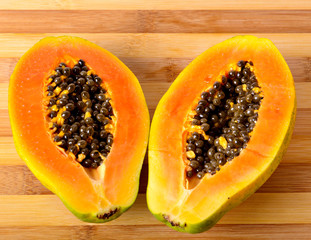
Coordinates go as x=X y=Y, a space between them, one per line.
x=157 y=39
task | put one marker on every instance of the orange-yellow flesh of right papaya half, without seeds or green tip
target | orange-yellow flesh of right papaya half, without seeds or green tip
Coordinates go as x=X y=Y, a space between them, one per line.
x=166 y=151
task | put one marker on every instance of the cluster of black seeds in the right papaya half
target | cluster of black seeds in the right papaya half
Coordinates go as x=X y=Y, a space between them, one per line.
x=226 y=114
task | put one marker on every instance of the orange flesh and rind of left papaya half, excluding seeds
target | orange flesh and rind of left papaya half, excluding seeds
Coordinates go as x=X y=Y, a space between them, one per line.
x=86 y=198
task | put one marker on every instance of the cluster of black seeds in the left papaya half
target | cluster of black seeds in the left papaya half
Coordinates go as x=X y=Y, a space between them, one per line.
x=78 y=99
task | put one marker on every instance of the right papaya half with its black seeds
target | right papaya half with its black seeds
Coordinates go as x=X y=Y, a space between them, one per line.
x=219 y=132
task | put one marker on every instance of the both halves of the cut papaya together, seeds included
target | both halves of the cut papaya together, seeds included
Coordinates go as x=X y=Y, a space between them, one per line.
x=81 y=124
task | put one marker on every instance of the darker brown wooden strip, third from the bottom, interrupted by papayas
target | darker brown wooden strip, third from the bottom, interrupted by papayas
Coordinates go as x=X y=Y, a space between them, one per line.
x=294 y=177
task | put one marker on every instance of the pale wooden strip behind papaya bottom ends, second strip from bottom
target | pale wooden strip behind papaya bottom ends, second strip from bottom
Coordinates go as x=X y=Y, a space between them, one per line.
x=260 y=208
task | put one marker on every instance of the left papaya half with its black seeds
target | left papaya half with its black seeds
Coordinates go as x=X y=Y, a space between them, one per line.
x=80 y=122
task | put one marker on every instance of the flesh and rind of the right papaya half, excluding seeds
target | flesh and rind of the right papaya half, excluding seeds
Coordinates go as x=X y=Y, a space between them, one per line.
x=178 y=203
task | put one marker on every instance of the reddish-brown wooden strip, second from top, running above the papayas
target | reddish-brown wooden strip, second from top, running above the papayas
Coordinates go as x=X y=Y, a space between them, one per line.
x=164 y=21
